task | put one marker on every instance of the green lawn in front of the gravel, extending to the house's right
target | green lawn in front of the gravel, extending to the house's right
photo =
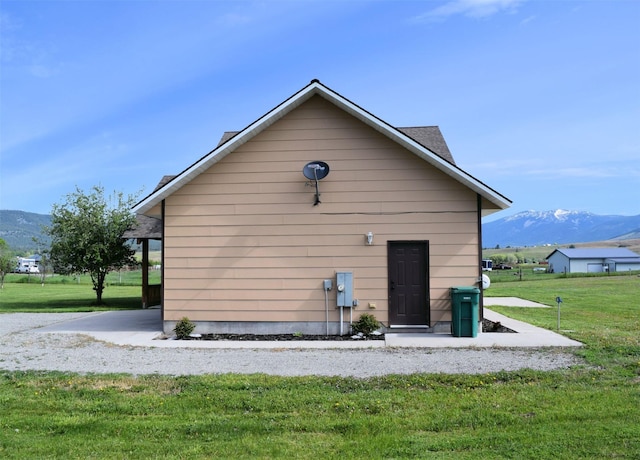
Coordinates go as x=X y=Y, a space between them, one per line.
x=590 y=411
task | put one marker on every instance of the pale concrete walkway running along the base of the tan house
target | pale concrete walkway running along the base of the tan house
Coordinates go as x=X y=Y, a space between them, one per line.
x=144 y=328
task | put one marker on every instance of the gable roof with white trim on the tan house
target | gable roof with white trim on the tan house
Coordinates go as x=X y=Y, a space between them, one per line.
x=233 y=140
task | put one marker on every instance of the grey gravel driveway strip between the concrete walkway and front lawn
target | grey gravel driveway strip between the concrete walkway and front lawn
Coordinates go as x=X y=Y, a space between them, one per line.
x=22 y=347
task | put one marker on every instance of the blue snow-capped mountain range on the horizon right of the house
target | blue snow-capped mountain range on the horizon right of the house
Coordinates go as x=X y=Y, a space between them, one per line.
x=536 y=228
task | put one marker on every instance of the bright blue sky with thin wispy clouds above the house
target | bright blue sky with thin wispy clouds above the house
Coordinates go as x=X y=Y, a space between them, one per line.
x=538 y=99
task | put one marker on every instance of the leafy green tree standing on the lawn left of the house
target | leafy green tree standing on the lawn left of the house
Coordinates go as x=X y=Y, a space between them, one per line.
x=87 y=234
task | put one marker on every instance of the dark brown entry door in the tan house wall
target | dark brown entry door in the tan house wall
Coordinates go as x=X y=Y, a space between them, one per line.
x=408 y=283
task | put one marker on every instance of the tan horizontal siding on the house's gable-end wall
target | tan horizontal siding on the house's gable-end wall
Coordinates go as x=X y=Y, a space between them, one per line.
x=243 y=241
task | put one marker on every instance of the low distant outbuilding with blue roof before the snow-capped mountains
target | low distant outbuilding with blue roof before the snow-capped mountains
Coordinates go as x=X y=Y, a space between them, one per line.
x=593 y=260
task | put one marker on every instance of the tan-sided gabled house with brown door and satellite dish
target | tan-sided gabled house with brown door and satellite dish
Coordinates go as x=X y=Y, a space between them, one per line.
x=253 y=243
